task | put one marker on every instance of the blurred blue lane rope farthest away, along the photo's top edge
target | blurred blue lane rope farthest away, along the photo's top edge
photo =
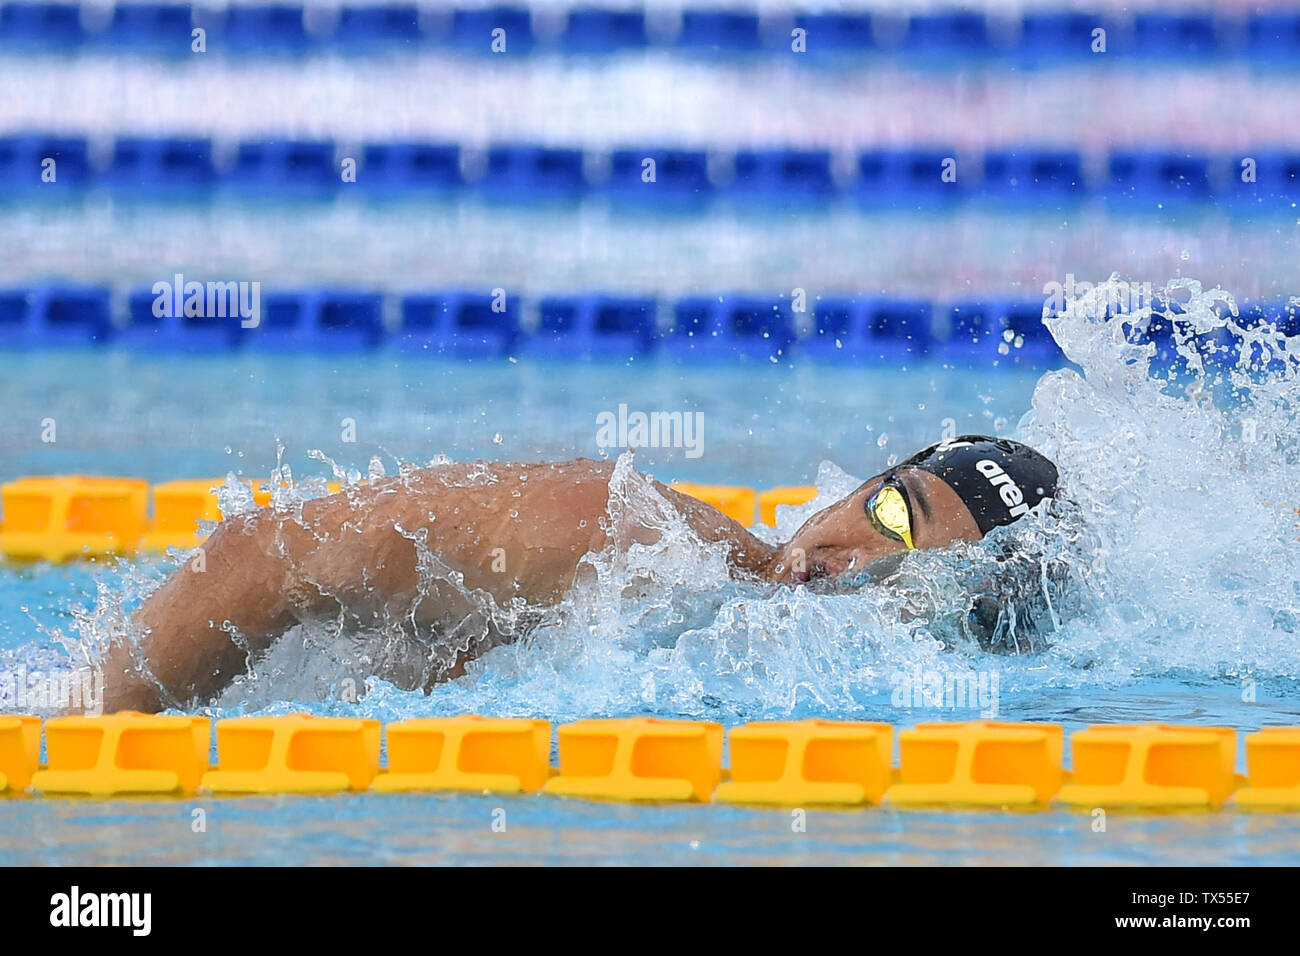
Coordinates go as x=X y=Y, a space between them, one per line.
x=1269 y=36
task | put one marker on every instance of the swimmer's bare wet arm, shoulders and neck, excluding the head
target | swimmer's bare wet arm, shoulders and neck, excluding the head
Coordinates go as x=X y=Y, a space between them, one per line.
x=354 y=555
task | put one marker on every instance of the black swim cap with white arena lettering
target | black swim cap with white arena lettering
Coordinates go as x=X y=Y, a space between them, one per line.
x=999 y=479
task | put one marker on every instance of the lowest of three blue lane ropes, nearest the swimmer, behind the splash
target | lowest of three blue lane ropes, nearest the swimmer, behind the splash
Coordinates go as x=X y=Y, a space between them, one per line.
x=466 y=325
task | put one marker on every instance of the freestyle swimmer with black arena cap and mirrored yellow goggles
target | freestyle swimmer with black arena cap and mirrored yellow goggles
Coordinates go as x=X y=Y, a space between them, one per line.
x=354 y=557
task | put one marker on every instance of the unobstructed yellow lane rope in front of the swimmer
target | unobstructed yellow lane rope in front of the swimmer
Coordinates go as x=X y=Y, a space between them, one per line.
x=775 y=764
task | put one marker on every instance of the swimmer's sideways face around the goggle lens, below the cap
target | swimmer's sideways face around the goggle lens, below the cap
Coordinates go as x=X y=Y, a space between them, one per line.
x=843 y=540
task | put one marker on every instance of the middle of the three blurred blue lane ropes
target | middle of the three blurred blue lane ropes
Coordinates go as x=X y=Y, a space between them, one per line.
x=172 y=165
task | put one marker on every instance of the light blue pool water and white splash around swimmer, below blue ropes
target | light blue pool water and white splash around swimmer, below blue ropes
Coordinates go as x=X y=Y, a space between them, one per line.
x=1173 y=616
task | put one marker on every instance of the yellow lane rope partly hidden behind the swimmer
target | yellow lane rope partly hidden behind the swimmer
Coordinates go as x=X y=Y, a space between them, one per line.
x=66 y=517
